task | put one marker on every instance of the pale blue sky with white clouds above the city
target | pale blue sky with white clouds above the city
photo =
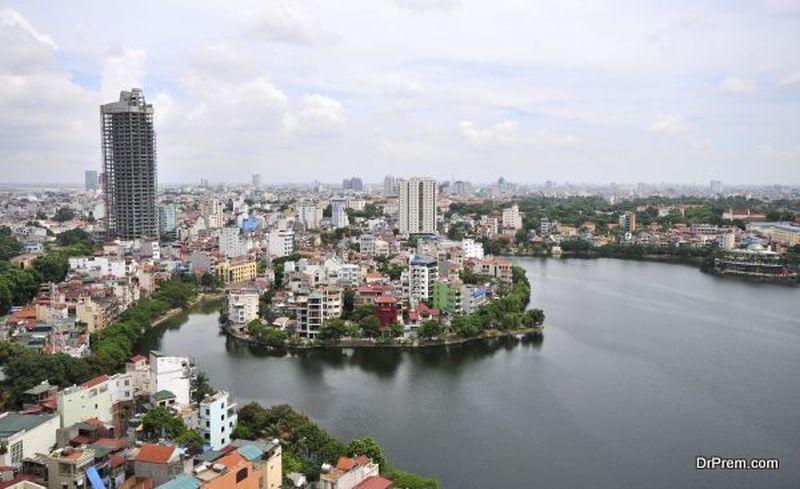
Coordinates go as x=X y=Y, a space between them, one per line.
x=583 y=91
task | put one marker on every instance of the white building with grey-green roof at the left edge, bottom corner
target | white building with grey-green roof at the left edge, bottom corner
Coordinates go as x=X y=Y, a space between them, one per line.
x=23 y=435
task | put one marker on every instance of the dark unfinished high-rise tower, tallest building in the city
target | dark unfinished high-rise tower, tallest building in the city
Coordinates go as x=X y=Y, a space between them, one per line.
x=129 y=163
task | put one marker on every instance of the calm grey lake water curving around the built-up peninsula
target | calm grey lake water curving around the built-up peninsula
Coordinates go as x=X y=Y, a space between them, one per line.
x=643 y=367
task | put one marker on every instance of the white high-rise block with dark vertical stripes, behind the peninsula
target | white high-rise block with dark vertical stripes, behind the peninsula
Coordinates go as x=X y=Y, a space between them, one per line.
x=418 y=206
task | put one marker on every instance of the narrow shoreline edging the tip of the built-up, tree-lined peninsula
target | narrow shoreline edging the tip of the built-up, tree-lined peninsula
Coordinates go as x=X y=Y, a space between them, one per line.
x=535 y=331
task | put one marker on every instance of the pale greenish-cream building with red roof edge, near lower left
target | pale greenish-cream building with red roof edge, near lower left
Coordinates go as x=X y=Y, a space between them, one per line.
x=92 y=399
